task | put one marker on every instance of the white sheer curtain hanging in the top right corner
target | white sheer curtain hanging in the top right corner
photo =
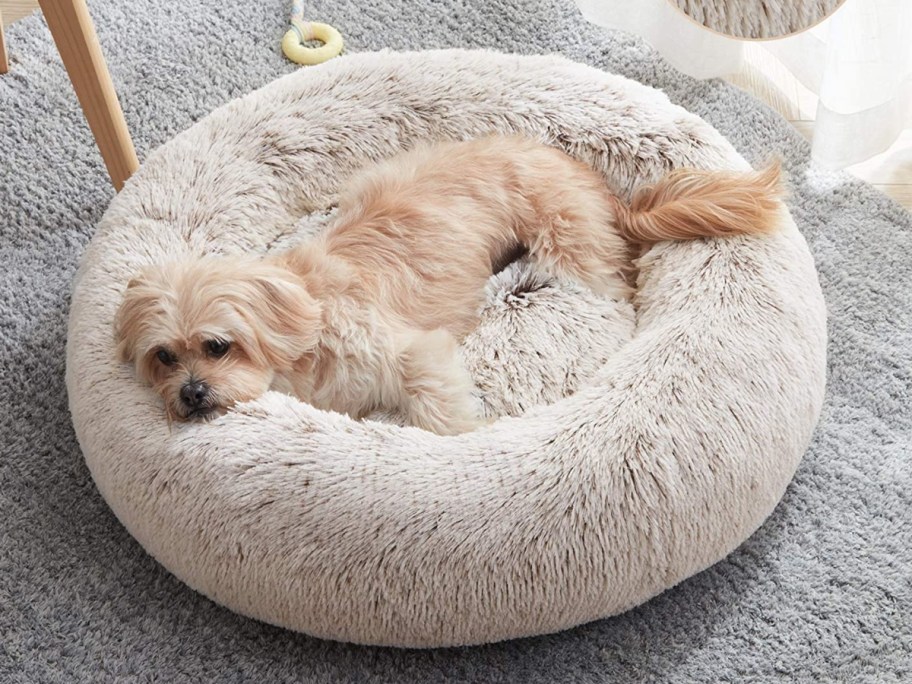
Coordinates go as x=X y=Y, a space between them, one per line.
x=858 y=62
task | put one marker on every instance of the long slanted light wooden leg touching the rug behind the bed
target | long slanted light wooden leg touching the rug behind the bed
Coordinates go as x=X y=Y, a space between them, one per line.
x=73 y=32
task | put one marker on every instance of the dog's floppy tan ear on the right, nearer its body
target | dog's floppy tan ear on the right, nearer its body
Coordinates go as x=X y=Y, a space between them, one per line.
x=285 y=320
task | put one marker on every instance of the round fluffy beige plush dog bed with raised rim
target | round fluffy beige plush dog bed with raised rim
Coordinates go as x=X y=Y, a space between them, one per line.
x=632 y=454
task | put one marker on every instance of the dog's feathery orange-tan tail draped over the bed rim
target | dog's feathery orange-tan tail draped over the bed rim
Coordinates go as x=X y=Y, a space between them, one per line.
x=689 y=203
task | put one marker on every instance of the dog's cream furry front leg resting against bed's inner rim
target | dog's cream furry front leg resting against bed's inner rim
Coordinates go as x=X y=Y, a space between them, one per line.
x=435 y=387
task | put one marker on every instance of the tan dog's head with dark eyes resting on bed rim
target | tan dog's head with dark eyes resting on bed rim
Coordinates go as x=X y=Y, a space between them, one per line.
x=215 y=331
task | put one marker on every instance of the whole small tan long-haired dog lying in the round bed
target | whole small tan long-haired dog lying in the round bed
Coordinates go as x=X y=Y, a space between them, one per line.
x=368 y=315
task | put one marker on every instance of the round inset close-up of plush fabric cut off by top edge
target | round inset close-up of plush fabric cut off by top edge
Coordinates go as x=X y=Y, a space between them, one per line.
x=758 y=18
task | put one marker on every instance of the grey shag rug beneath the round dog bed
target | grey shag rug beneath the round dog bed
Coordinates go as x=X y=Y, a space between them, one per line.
x=822 y=592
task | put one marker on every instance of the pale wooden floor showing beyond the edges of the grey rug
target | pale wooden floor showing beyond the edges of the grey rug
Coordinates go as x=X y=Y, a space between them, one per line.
x=765 y=78
